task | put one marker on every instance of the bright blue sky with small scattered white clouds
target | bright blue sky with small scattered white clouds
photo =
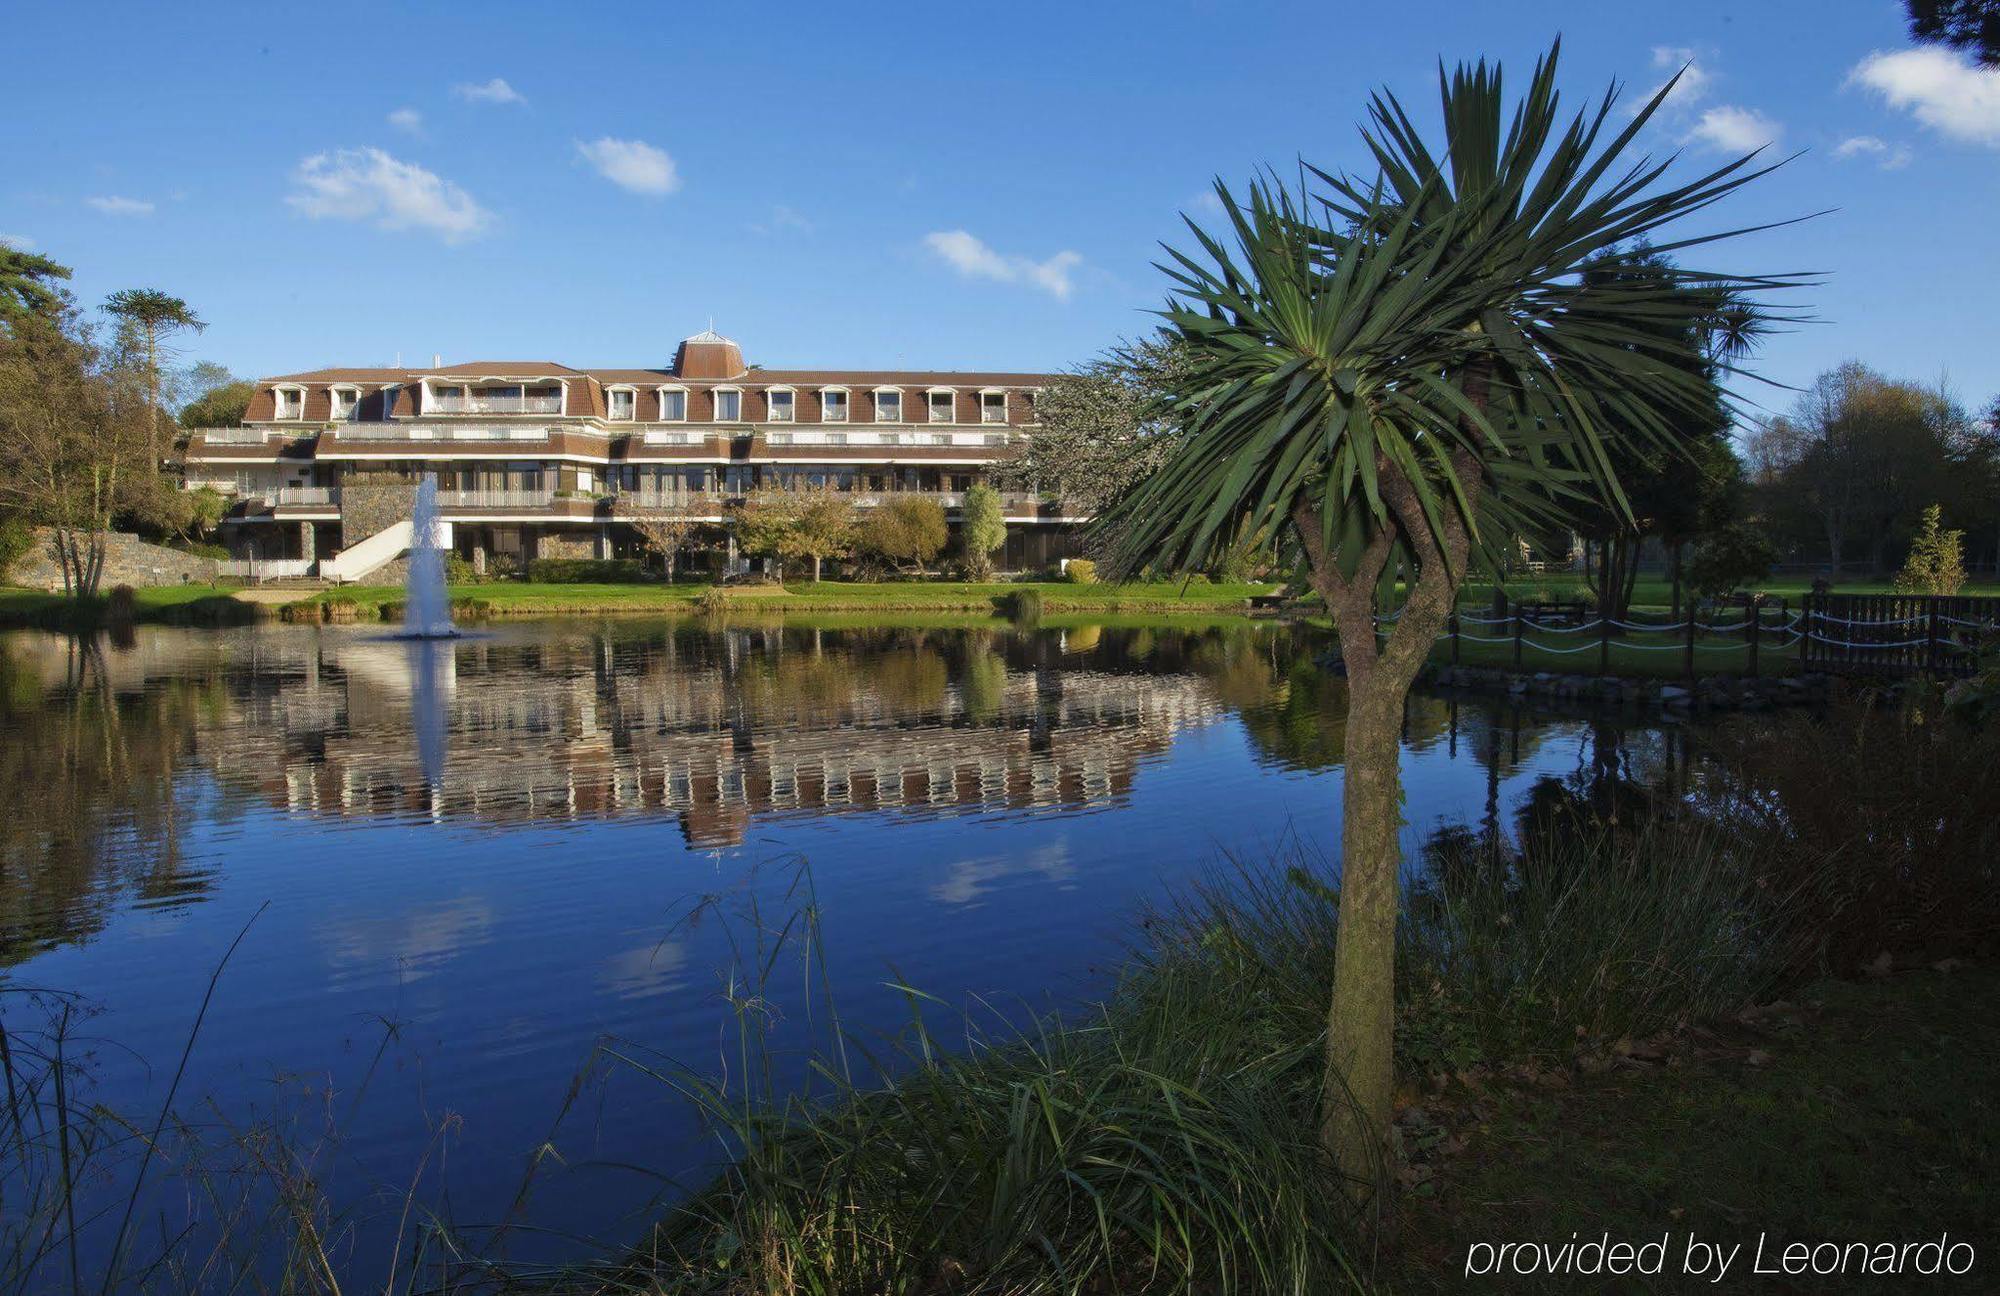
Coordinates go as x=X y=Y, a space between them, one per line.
x=881 y=185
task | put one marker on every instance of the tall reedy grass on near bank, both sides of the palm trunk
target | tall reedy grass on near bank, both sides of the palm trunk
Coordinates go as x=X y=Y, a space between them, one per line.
x=1165 y=1141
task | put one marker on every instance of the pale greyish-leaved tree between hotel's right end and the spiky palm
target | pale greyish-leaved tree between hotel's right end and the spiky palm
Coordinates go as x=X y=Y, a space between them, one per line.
x=1103 y=429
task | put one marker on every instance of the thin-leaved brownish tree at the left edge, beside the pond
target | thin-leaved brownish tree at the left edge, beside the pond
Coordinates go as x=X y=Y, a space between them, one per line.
x=75 y=447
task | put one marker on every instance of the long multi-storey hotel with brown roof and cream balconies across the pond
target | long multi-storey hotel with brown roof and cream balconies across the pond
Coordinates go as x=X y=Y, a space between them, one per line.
x=545 y=461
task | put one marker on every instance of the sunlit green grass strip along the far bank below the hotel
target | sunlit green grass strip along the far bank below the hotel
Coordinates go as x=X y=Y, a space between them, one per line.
x=529 y=599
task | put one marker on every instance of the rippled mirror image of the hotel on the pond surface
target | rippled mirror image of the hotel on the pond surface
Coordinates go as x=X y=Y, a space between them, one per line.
x=715 y=735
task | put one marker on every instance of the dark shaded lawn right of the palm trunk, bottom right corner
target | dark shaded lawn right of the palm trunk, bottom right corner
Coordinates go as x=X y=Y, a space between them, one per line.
x=1867 y=1111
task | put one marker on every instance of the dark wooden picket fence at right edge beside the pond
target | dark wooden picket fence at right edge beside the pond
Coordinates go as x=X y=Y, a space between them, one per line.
x=1897 y=635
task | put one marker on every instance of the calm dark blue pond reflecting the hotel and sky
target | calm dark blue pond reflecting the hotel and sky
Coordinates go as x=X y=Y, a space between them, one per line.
x=457 y=869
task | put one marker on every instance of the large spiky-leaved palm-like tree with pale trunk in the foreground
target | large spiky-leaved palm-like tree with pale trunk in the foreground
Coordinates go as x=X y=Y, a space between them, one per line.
x=1407 y=371
